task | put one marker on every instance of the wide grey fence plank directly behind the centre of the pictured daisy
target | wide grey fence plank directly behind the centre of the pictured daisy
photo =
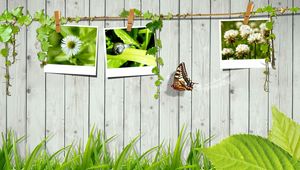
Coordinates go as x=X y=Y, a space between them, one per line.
x=76 y=89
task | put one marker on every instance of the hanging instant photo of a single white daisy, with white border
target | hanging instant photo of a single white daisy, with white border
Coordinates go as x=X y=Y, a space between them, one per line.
x=73 y=51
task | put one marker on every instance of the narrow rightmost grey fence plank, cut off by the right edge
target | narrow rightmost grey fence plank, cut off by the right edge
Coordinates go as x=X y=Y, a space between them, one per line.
x=296 y=70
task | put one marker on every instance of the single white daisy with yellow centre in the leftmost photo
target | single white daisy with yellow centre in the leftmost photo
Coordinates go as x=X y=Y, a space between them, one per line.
x=71 y=45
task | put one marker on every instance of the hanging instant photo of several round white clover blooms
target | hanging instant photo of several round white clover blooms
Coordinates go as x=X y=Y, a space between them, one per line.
x=244 y=46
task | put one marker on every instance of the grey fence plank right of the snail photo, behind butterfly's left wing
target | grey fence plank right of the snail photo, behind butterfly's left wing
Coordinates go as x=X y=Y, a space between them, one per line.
x=169 y=112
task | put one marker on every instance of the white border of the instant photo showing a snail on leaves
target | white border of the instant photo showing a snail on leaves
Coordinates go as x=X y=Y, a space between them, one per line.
x=127 y=71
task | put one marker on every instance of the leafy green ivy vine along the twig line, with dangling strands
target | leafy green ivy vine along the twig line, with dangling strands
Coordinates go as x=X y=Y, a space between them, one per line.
x=12 y=21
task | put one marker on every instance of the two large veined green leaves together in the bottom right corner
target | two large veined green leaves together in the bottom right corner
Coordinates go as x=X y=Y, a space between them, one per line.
x=279 y=151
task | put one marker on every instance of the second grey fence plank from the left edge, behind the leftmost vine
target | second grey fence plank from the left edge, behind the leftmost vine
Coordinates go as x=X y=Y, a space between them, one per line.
x=16 y=103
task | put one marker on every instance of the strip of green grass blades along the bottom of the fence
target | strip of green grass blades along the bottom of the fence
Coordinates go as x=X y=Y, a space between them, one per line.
x=95 y=155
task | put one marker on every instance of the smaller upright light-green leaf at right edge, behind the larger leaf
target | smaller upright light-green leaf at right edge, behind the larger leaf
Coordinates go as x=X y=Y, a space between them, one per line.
x=285 y=133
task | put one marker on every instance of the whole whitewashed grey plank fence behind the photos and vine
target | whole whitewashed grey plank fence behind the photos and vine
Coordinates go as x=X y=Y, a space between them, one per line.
x=223 y=103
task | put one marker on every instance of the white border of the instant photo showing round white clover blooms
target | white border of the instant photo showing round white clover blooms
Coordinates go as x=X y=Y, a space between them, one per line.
x=239 y=64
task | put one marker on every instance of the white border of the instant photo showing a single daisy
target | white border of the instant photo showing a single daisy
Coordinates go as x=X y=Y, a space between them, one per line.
x=73 y=69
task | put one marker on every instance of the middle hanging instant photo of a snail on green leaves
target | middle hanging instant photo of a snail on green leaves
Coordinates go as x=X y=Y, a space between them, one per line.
x=126 y=52
